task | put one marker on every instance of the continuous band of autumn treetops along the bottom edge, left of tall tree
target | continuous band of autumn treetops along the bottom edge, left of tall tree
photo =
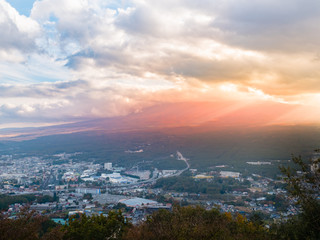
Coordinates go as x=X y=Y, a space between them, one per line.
x=181 y=223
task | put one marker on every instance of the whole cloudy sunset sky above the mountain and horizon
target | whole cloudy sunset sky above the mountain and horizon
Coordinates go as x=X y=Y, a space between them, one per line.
x=67 y=61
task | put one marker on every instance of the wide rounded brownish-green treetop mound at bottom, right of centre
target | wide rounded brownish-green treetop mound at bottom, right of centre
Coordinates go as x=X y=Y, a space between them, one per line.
x=195 y=223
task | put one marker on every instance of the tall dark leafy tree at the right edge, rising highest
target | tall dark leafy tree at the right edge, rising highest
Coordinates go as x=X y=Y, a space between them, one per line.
x=304 y=186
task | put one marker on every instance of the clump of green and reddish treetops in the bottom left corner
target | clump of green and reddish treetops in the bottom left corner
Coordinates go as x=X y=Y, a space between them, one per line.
x=31 y=226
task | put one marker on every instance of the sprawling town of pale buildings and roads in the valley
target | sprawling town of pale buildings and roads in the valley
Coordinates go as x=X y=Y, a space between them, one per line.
x=61 y=187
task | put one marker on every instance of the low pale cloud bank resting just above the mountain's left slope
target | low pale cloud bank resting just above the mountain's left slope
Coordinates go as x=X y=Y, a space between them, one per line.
x=66 y=101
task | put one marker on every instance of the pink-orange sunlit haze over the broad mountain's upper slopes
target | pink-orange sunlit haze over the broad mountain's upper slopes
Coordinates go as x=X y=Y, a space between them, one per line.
x=171 y=115
